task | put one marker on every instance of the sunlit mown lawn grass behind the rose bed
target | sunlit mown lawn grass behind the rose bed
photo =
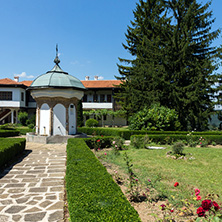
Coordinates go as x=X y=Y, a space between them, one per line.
x=203 y=172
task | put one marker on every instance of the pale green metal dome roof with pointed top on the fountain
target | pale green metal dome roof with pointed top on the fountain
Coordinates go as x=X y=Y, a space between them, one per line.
x=57 y=78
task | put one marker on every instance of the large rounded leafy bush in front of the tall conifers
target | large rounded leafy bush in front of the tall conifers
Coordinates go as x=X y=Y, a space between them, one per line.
x=155 y=118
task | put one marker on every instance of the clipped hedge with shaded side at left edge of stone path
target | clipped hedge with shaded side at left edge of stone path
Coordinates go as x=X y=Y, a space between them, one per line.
x=10 y=148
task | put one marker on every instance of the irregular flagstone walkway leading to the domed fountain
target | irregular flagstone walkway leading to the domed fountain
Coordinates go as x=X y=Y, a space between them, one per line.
x=33 y=189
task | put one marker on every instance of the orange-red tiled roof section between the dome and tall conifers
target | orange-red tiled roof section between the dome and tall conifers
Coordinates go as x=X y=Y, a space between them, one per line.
x=100 y=83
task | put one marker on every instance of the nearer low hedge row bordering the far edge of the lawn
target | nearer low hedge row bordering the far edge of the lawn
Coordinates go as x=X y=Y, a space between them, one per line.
x=169 y=139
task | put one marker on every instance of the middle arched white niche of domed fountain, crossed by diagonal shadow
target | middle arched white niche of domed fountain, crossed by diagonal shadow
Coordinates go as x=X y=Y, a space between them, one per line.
x=59 y=120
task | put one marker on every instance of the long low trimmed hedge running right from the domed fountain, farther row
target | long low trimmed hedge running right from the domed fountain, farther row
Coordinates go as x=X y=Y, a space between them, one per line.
x=126 y=134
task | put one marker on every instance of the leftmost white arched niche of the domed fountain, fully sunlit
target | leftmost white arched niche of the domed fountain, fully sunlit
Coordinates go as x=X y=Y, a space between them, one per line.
x=44 y=119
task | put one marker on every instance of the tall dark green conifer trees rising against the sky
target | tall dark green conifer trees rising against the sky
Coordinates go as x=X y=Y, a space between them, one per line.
x=172 y=60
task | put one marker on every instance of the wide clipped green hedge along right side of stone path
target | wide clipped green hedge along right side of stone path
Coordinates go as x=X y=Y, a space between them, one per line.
x=92 y=193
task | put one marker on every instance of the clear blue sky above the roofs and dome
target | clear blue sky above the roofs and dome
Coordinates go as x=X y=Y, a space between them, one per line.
x=89 y=33
